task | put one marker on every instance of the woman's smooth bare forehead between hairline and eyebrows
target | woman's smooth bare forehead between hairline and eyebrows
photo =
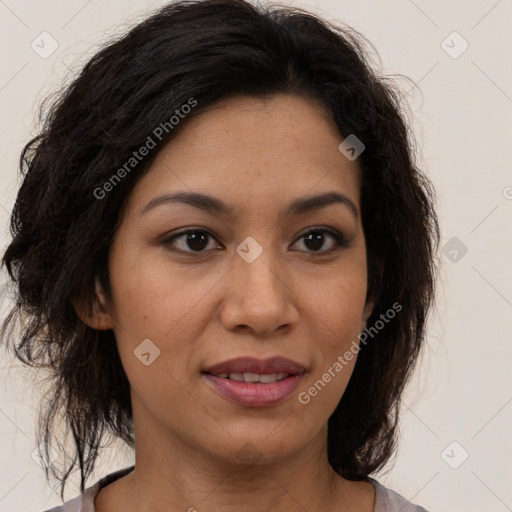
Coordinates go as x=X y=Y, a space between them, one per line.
x=254 y=152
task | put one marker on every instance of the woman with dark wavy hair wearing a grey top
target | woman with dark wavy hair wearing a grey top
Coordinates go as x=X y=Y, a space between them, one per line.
x=226 y=257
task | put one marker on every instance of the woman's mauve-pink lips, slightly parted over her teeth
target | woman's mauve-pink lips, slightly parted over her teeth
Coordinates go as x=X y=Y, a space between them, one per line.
x=257 y=394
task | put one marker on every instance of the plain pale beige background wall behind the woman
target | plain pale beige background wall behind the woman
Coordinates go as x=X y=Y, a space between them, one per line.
x=460 y=403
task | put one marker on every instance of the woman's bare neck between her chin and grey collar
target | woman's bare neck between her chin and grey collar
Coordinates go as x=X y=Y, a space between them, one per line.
x=171 y=475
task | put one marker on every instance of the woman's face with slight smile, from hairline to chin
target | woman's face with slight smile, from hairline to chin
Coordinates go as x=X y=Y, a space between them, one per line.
x=252 y=278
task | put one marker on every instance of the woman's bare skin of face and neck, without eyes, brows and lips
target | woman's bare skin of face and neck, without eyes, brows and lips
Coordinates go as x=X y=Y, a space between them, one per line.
x=200 y=308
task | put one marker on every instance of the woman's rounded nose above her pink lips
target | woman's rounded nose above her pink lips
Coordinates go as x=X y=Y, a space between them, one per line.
x=259 y=297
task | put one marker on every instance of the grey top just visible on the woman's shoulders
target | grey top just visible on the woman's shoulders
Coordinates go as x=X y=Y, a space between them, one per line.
x=386 y=500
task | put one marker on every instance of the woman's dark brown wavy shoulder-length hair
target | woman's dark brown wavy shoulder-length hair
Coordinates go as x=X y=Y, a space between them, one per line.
x=210 y=50
